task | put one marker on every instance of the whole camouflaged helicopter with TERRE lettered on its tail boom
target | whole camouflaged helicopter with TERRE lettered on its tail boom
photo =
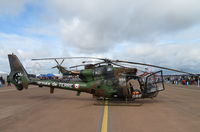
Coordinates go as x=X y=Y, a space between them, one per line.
x=108 y=79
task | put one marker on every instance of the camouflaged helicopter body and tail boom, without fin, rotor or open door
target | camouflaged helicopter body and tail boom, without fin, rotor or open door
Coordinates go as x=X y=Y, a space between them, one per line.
x=105 y=81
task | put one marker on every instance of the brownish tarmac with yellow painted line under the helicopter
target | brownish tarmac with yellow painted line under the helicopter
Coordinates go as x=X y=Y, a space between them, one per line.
x=177 y=109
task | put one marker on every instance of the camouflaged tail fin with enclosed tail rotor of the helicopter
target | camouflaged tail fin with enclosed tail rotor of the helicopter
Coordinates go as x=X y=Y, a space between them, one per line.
x=18 y=75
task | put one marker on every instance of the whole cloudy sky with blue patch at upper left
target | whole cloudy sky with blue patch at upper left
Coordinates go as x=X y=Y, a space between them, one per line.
x=161 y=32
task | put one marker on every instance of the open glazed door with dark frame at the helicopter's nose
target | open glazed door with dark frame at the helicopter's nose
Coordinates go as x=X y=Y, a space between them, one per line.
x=154 y=82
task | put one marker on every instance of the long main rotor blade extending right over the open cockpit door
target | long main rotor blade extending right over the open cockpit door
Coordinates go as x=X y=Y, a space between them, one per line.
x=144 y=64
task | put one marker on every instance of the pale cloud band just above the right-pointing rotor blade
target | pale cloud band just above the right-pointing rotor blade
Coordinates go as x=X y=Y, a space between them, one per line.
x=182 y=56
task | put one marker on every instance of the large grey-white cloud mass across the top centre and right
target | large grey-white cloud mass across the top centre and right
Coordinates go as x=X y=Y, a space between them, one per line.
x=97 y=26
